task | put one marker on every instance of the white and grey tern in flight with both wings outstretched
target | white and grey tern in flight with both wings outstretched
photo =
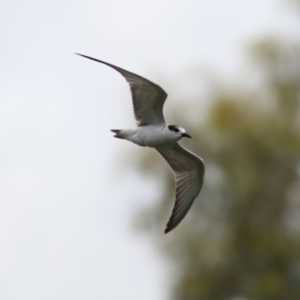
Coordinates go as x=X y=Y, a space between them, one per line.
x=152 y=131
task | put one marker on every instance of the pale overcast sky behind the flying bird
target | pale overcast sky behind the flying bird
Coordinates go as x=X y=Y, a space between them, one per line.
x=67 y=201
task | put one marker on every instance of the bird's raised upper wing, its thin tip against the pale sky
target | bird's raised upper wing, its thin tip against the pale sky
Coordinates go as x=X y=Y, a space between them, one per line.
x=148 y=98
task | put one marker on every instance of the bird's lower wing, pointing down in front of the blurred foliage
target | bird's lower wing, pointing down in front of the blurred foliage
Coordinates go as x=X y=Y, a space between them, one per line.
x=188 y=171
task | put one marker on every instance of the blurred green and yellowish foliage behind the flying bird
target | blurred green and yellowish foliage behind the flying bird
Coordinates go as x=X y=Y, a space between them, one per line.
x=242 y=235
